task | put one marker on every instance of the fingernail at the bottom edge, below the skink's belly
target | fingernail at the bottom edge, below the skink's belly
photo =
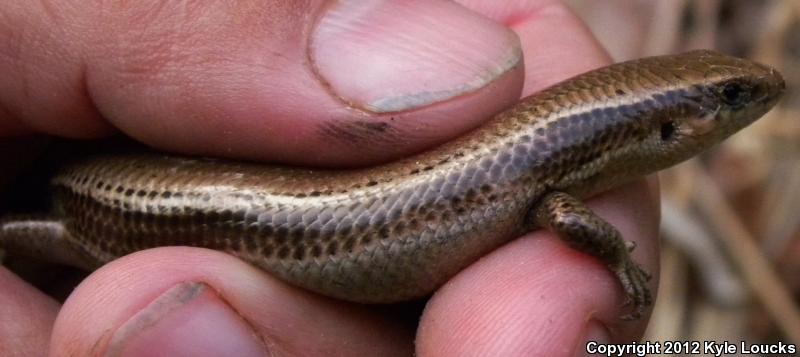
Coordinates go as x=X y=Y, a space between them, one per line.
x=187 y=320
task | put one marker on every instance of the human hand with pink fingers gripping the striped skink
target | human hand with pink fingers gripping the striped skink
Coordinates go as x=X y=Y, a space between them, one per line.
x=300 y=83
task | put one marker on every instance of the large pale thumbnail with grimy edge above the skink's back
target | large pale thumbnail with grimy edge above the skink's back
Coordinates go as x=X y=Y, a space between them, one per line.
x=388 y=56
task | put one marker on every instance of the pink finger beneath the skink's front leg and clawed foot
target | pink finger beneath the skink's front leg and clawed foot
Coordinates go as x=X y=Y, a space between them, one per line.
x=536 y=296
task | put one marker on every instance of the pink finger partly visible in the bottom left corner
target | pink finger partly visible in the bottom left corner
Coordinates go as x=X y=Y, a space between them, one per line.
x=27 y=317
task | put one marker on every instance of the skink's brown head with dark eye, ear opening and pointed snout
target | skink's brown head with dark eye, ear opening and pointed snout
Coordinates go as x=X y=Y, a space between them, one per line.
x=718 y=96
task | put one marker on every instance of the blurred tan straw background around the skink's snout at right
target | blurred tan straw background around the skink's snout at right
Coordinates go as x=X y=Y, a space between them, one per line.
x=731 y=218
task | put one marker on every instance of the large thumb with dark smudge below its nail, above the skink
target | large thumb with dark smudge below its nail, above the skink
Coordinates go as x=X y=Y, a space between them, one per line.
x=333 y=83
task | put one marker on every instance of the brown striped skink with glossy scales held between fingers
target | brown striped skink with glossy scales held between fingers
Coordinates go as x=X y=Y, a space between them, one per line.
x=398 y=231
